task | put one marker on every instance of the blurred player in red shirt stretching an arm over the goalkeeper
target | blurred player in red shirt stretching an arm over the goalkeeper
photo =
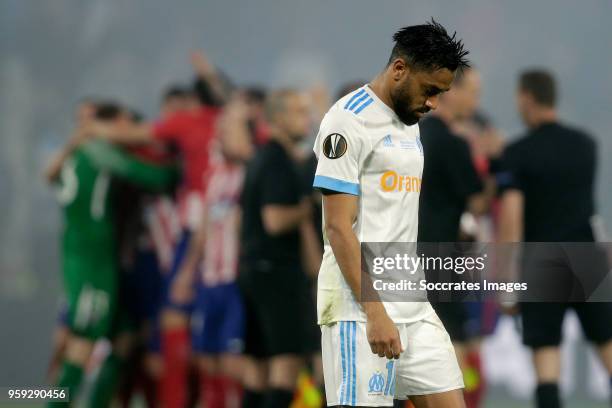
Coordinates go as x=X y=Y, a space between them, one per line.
x=191 y=132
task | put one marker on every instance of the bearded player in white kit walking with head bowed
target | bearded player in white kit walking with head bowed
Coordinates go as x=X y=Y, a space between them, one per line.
x=369 y=170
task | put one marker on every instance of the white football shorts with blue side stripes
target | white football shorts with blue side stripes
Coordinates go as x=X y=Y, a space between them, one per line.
x=355 y=376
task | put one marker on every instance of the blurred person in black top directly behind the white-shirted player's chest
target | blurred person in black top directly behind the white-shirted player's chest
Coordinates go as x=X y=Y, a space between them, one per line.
x=450 y=187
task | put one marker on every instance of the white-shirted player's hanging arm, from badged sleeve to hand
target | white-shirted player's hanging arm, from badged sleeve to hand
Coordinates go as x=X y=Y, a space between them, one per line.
x=342 y=146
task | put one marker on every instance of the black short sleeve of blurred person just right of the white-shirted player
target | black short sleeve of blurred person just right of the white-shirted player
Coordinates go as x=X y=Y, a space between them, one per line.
x=465 y=180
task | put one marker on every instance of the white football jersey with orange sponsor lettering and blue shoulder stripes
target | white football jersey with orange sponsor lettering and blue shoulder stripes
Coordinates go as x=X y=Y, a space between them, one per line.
x=365 y=150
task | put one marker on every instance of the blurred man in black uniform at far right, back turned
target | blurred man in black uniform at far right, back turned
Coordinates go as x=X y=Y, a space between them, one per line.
x=547 y=185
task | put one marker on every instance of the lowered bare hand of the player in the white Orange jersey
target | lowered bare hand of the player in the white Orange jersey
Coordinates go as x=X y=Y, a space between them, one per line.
x=383 y=335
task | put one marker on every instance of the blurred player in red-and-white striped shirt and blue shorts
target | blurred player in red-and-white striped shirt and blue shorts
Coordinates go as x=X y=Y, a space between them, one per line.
x=211 y=267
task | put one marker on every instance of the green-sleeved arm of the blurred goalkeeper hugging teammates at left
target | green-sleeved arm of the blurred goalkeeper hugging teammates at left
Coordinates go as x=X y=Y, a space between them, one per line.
x=121 y=164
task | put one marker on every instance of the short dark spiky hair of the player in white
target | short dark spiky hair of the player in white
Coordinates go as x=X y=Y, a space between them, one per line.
x=429 y=47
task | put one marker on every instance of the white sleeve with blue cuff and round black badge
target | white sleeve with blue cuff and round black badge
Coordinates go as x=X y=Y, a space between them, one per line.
x=340 y=147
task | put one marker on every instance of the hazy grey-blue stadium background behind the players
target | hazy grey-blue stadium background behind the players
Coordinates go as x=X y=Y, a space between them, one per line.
x=53 y=52
